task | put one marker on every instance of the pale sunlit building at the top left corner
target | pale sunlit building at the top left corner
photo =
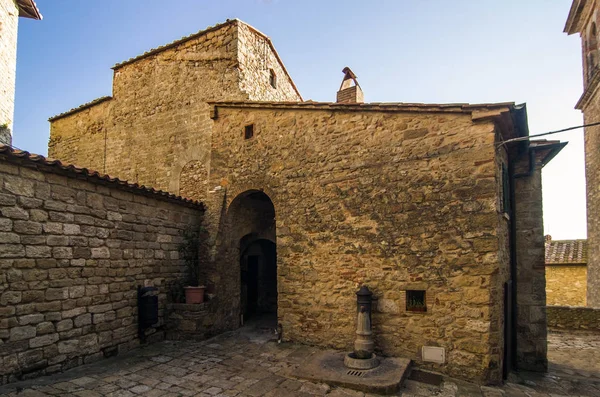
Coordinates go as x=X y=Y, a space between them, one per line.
x=10 y=11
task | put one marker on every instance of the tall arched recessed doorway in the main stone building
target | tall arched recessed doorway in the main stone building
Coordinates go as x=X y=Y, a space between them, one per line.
x=252 y=238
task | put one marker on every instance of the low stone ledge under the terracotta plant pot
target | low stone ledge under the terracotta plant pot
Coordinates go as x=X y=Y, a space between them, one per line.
x=195 y=321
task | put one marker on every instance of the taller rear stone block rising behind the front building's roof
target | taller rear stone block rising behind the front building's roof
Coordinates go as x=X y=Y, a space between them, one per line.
x=156 y=128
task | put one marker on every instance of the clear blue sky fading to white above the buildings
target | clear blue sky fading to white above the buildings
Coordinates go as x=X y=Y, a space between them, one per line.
x=402 y=51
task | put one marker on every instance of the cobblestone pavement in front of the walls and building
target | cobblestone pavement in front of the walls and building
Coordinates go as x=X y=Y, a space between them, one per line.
x=248 y=362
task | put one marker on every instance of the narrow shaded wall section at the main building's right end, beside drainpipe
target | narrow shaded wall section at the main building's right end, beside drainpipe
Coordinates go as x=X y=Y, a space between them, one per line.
x=530 y=277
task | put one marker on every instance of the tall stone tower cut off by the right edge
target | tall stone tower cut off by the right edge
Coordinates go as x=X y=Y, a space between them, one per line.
x=584 y=18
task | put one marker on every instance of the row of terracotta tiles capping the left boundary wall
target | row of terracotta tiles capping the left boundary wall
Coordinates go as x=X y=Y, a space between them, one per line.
x=49 y=165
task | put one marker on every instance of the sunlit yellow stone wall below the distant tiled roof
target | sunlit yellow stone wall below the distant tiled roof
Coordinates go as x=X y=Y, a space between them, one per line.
x=566 y=285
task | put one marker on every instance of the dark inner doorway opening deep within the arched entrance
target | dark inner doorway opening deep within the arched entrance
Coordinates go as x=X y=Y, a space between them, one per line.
x=258 y=264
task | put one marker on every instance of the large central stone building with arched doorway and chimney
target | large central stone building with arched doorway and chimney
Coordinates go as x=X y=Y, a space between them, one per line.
x=306 y=201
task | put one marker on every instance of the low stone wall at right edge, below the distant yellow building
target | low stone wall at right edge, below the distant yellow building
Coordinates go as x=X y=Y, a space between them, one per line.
x=562 y=318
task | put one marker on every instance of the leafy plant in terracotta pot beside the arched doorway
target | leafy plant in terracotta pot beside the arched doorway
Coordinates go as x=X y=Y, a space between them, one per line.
x=194 y=292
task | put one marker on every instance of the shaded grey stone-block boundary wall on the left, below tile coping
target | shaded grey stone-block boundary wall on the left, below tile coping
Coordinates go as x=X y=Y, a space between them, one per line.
x=72 y=252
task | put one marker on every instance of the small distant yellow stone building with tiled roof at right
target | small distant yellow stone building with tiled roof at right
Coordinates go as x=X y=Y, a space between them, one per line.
x=566 y=272
